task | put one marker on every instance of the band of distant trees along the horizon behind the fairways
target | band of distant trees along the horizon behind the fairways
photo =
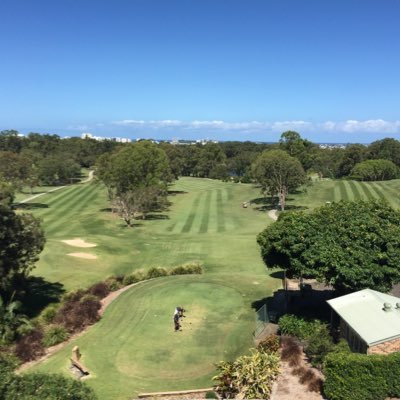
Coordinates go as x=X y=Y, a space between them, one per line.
x=212 y=160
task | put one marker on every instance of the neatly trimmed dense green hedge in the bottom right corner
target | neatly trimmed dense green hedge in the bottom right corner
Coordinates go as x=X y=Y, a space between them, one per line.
x=361 y=377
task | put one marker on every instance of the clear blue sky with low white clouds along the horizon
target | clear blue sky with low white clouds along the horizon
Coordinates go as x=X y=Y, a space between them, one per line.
x=220 y=69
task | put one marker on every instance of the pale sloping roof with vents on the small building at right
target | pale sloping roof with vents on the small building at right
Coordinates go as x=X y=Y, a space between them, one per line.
x=364 y=311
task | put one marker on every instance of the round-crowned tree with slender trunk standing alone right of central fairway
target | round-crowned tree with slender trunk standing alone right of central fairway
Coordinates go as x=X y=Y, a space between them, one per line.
x=278 y=174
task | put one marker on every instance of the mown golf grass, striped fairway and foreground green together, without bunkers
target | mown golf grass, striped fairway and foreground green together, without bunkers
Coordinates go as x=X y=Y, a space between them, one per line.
x=134 y=348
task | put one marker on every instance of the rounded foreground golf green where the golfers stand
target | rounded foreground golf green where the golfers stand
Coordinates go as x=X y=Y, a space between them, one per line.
x=135 y=348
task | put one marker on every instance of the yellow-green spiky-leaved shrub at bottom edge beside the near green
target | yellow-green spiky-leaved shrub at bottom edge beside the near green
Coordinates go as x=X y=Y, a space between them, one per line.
x=249 y=377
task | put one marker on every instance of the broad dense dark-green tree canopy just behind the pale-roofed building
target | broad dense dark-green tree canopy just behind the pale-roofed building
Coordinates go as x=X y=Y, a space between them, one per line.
x=349 y=245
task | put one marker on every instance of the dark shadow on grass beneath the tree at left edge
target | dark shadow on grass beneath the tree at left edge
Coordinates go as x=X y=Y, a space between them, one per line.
x=40 y=293
